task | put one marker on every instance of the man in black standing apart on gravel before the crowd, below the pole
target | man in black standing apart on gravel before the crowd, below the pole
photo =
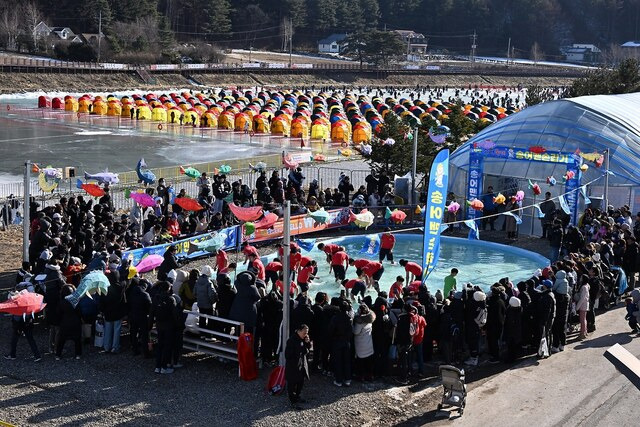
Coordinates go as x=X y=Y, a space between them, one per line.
x=296 y=365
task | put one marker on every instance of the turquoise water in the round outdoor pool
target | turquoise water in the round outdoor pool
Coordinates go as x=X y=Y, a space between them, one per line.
x=481 y=263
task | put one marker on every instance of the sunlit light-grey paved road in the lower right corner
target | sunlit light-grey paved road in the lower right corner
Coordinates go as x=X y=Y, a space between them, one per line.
x=576 y=387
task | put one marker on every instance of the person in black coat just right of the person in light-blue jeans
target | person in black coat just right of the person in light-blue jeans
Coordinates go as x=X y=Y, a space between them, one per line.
x=139 y=309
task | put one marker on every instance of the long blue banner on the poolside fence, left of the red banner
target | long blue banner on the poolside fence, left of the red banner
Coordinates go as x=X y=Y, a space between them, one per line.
x=187 y=248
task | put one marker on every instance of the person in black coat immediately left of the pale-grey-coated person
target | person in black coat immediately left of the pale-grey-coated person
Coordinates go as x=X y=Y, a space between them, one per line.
x=340 y=333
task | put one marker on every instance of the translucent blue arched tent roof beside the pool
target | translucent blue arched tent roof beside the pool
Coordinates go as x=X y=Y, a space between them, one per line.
x=589 y=124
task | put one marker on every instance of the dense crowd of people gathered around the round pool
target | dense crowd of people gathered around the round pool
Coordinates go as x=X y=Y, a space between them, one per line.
x=372 y=329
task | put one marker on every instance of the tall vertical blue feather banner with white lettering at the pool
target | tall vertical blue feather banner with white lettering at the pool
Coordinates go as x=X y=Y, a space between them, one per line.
x=436 y=198
